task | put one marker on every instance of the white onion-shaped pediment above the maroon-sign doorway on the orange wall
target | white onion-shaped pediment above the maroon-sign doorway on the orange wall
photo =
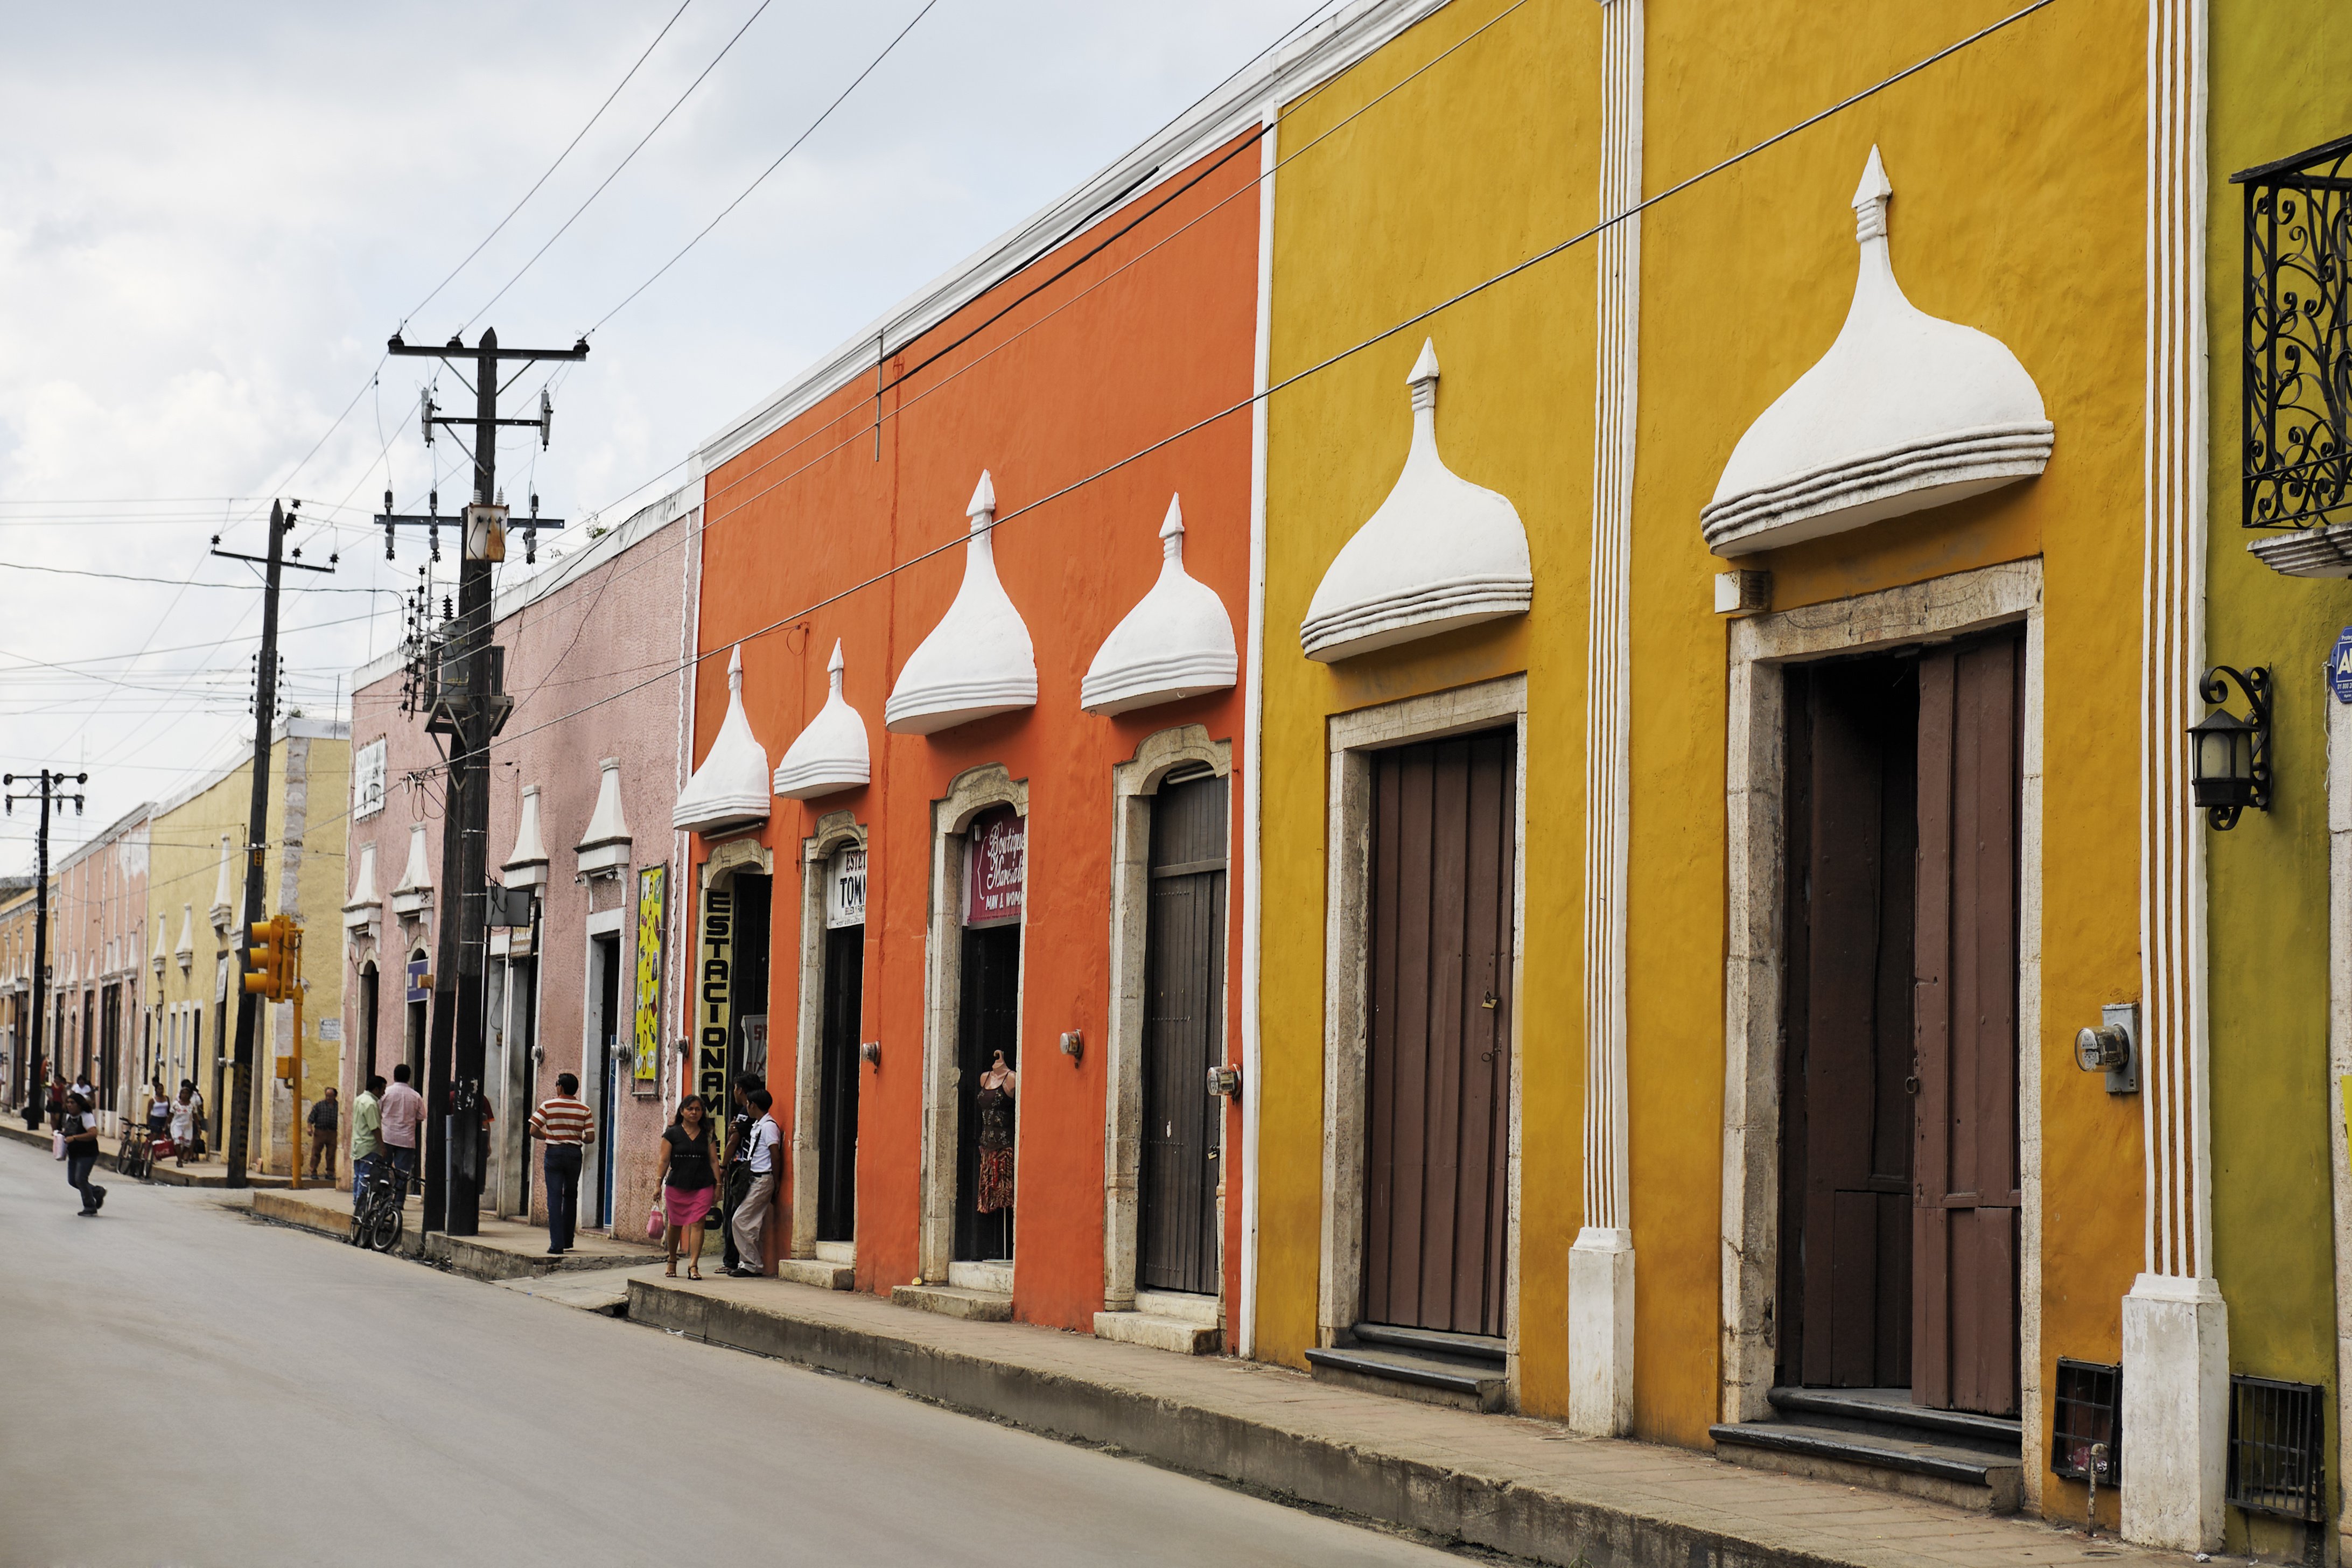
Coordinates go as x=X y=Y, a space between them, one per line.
x=980 y=659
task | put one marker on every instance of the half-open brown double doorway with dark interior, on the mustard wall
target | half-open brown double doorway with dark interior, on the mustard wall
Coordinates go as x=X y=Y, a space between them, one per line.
x=1899 y=1113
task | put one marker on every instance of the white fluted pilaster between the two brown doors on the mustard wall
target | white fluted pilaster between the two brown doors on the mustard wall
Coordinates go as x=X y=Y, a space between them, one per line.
x=1601 y=1264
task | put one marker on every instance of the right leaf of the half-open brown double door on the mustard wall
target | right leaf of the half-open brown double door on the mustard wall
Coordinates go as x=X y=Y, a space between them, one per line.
x=1965 y=1007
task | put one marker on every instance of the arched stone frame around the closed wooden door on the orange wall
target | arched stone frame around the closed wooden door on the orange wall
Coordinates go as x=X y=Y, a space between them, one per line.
x=1132 y=786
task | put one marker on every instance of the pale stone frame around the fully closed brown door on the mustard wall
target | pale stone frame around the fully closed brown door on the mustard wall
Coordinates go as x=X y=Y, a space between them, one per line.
x=1349 y=742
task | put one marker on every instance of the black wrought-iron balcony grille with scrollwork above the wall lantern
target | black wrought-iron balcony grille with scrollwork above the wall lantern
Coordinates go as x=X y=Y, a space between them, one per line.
x=2299 y=340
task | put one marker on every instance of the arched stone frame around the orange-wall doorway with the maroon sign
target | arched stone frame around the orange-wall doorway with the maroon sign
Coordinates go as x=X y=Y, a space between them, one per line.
x=973 y=793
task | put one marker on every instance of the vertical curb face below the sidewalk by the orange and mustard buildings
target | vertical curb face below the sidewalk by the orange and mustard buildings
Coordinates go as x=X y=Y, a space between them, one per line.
x=1490 y=1513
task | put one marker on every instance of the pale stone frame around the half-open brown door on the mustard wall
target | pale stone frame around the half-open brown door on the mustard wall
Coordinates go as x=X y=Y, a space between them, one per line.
x=1756 y=944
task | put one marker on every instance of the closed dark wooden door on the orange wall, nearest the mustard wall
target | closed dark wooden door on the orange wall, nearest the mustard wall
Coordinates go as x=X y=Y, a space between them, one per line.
x=1184 y=1033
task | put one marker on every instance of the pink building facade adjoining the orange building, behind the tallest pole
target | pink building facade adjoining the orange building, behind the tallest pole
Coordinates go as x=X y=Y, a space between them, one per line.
x=584 y=777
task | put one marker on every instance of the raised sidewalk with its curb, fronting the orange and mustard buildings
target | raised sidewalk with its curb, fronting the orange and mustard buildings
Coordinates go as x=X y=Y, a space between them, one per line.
x=1495 y=1482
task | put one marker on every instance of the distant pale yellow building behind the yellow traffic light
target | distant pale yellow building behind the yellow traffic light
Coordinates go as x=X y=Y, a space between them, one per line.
x=196 y=894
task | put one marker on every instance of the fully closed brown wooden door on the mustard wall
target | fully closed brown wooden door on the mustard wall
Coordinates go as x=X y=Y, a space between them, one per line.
x=1438 y=1064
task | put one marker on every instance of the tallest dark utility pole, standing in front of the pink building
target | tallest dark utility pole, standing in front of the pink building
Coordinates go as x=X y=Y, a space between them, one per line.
x=469 y=706
